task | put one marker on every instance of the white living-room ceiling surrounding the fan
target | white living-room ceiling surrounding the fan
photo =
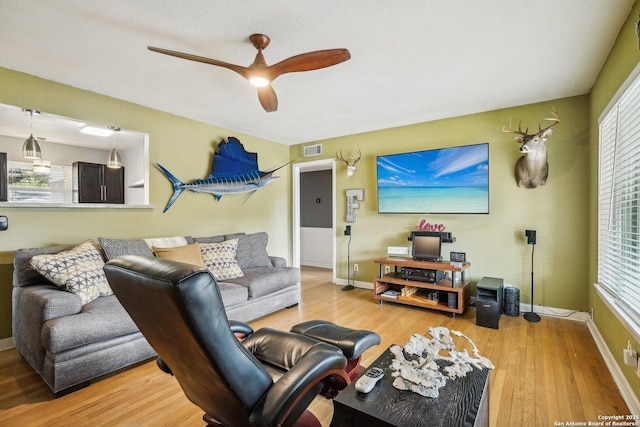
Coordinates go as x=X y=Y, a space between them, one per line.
x=411 y=60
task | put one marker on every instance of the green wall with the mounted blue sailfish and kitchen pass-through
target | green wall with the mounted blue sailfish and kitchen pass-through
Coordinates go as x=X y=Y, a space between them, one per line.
x=183 y=146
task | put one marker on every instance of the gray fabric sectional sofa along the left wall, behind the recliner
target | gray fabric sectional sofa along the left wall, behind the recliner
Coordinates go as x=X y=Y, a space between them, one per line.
x=70 y=341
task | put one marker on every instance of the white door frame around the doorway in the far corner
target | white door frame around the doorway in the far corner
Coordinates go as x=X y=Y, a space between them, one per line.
x=298 y=168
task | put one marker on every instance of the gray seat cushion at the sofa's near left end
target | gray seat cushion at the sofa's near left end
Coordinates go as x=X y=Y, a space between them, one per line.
x=99 y=320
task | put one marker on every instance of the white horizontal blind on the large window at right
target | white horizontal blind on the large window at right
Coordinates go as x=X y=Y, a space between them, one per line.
x=619 y=203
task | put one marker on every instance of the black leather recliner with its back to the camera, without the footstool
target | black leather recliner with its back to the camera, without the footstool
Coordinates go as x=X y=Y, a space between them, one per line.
x=267 y=379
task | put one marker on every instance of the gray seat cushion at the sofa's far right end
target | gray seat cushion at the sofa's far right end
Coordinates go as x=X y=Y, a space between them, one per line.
x=265 y=280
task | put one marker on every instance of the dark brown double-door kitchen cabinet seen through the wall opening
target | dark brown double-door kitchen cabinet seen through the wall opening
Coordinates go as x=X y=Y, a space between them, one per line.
x=96 y=183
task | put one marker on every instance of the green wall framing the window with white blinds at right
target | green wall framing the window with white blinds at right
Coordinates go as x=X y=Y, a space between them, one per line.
x=622 y=60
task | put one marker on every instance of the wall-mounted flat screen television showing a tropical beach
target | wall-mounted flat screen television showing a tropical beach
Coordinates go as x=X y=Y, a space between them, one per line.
x=451 y=180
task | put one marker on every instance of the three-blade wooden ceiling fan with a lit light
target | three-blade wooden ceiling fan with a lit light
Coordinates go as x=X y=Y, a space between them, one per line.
x=261 y=75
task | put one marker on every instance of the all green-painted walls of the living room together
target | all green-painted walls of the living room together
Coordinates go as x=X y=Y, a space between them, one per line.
x=564 y=212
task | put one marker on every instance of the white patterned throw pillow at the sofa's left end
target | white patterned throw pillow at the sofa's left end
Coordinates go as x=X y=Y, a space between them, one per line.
x=79 y=271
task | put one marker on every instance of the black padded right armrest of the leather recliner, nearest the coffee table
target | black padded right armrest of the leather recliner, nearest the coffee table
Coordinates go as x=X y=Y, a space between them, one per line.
x=295 y=389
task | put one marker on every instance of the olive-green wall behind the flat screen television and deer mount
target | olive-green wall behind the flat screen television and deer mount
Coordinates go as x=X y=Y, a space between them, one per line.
x=495 y=244
